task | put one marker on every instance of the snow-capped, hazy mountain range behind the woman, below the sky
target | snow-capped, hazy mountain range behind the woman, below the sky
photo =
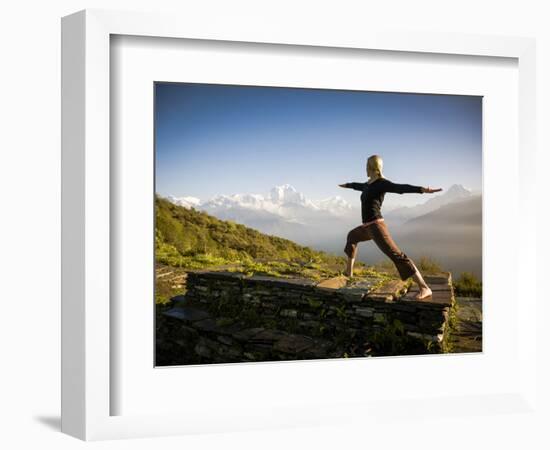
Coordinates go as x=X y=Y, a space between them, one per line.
x=445 y=226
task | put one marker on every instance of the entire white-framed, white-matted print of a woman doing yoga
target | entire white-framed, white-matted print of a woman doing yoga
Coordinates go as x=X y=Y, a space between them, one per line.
x=278 y=218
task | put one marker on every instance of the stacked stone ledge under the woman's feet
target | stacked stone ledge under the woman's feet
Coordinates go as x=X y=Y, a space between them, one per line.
x=288 y=318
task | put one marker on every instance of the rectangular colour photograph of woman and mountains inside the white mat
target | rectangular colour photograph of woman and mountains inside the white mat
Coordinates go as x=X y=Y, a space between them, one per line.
x=296 y=223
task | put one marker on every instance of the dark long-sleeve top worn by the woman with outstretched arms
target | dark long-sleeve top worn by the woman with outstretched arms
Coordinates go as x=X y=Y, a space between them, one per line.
x=372 y=195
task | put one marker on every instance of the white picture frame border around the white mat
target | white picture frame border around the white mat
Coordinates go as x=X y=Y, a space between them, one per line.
x=87 y=386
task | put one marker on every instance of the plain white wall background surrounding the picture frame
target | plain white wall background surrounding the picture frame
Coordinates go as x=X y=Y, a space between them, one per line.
x=29 y=224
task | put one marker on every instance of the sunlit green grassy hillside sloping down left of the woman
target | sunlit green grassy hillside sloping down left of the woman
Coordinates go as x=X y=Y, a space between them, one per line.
x=193 y=239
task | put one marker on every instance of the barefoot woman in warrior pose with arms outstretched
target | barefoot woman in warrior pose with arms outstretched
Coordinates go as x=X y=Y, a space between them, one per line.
x=373 y=226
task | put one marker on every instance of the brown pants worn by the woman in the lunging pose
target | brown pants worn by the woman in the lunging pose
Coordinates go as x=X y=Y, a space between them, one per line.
x=380 y=234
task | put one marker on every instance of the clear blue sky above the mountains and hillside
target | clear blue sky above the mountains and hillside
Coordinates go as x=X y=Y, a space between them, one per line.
x=217 y=139
